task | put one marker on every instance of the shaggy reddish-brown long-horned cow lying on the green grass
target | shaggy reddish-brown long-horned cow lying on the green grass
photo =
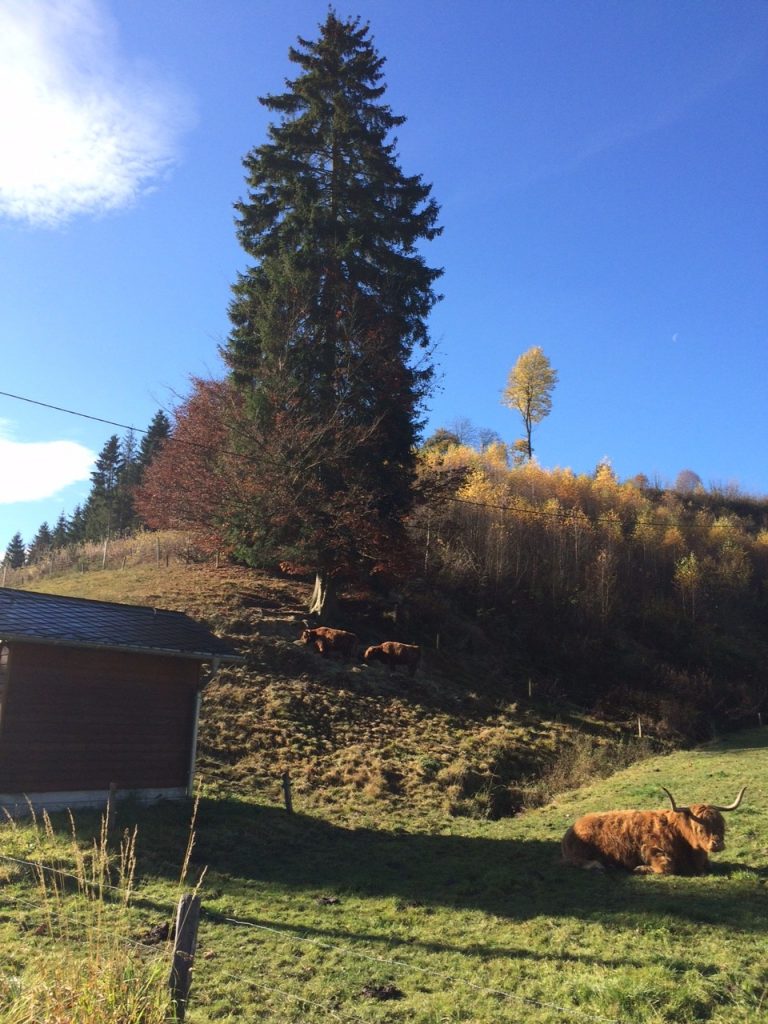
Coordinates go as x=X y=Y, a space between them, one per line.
x=676 y=842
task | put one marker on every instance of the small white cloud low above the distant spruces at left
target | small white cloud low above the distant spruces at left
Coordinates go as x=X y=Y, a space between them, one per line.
x=32 y=472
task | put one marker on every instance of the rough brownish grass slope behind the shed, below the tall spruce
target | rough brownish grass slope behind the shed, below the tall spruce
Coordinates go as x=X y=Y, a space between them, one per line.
x=450 y=741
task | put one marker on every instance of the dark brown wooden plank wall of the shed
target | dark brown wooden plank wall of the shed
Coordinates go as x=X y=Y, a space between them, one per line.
x=75 y=719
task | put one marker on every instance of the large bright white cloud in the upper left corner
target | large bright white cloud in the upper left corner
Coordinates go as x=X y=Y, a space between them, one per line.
x=82 y=130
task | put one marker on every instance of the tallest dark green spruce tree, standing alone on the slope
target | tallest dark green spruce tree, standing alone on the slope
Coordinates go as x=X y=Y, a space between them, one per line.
x=329 y=321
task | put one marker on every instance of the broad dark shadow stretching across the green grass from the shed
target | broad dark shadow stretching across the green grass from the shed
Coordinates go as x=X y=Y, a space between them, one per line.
x=517 y=879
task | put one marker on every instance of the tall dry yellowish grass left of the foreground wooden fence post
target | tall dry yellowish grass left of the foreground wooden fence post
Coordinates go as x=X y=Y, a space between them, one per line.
x=71 y=901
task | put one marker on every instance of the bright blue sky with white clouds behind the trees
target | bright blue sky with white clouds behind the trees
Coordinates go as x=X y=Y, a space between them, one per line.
x=602 y=168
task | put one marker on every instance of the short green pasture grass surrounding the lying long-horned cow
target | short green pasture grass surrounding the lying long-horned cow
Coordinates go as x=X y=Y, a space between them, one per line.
x=470 y=920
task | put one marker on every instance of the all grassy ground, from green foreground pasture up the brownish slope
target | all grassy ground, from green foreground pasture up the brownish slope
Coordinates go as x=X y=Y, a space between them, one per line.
x=393 y=894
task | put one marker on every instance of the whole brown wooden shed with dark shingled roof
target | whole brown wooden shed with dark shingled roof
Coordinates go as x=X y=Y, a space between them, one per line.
x=94 y=695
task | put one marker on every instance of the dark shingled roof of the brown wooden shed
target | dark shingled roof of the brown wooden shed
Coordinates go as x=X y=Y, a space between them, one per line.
x=77 y=622
